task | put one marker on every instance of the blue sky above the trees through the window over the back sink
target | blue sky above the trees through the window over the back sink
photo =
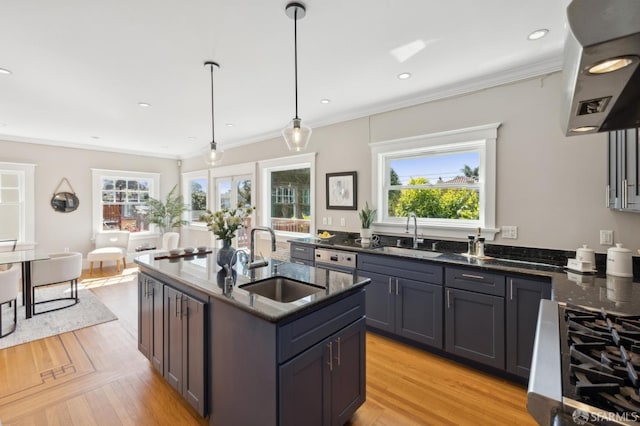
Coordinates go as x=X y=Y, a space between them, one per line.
x=433 y=167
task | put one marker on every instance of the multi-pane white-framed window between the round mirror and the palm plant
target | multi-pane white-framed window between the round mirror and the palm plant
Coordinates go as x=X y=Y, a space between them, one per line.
x=120 y=197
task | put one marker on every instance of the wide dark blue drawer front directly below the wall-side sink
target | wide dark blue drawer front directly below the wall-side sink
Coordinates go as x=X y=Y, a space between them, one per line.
x=402 y=268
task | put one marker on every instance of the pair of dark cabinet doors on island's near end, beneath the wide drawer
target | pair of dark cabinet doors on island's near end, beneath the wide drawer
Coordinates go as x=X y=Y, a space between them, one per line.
x=325 y=384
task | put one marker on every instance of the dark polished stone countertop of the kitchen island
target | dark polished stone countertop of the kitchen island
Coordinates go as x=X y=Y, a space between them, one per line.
x=202 y=273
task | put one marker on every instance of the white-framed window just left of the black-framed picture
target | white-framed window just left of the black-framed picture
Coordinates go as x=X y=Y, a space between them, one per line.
x=287 y=191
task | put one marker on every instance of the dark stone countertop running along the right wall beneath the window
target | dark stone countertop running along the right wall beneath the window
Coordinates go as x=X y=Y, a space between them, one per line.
x=593 y=291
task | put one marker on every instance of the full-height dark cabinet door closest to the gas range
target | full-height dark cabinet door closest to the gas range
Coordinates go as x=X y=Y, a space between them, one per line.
x=523 y=301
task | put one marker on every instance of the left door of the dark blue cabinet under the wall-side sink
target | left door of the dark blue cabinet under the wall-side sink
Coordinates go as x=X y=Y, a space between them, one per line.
x=380 y=301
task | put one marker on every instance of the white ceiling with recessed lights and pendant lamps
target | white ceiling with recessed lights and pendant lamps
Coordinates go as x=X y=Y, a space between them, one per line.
x=80 y=67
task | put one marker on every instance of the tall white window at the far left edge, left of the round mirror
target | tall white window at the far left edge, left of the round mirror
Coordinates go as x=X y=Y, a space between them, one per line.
x=17 y=197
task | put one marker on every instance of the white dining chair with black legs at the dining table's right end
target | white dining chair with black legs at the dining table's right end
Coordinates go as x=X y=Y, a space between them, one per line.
x=60 y=268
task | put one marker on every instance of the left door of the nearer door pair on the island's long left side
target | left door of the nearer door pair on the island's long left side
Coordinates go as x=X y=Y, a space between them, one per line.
x=173 y=337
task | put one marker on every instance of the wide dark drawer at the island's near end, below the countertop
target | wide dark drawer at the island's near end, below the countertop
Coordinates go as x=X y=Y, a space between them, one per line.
x=305 y=332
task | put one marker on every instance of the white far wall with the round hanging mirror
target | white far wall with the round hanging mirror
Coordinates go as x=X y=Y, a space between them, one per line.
x=56 y=231
